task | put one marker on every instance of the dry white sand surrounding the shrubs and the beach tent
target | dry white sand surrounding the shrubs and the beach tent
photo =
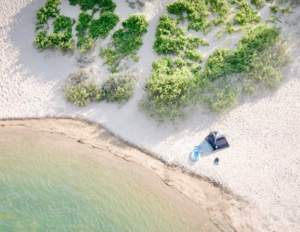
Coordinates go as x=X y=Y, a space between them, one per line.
x=262 y=166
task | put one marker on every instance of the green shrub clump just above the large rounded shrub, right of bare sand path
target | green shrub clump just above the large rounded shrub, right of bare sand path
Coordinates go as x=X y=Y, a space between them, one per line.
x=170 y=38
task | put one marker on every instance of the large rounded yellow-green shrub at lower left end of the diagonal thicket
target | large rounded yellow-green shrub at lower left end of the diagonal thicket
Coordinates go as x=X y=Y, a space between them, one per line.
x=170 y=89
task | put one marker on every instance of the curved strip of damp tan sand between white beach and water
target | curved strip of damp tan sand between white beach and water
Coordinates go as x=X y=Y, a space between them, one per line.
x=228 y=211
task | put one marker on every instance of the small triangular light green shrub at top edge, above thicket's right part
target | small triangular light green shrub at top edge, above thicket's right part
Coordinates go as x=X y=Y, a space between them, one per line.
x=246 y=14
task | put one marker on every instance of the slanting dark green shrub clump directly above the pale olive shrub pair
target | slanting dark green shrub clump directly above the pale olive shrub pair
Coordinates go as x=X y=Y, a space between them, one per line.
x=126 y=41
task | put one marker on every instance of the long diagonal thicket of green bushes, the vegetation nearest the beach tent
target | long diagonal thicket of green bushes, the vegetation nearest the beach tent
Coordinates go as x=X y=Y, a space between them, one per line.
x=175 y=84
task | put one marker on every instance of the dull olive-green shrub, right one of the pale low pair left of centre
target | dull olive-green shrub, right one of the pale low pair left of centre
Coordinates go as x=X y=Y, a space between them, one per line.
x=119 y=88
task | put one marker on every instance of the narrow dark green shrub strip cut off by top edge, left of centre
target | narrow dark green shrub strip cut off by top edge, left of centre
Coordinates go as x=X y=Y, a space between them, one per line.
x=105 y=5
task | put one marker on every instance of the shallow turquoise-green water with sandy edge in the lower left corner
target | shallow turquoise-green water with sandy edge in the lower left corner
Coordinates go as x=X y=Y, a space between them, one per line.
x=51 y=183
